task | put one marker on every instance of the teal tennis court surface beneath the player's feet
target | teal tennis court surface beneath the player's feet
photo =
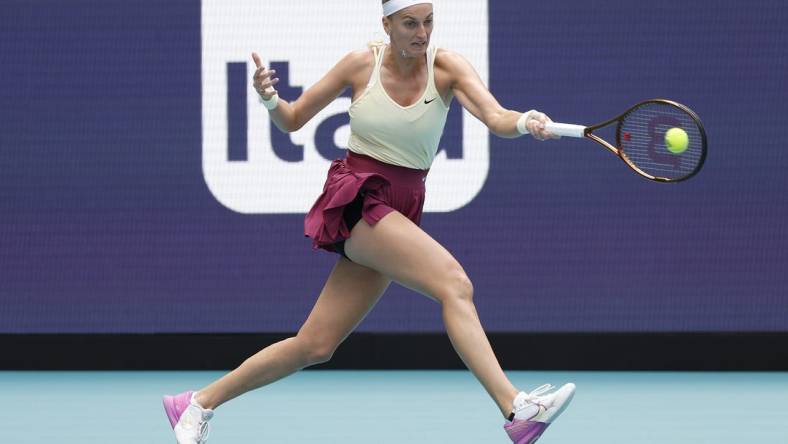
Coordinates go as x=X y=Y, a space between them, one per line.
x=394 y=407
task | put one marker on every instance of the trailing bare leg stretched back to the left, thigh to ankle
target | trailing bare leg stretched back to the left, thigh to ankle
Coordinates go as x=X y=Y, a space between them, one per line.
x=349 y=294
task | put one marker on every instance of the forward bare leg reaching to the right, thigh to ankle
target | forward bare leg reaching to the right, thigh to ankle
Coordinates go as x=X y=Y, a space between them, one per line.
x=399 y=249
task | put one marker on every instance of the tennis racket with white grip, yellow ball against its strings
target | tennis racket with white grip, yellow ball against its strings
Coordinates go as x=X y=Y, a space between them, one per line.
x=660 y=139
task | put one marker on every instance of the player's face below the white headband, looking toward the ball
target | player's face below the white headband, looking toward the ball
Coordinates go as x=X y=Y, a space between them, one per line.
x=410 y=29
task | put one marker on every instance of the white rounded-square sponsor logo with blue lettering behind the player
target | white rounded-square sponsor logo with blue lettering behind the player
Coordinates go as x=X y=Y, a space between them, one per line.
x=252 y=167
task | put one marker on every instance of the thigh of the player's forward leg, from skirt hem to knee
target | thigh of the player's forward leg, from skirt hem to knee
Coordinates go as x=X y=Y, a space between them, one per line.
x=399 y=249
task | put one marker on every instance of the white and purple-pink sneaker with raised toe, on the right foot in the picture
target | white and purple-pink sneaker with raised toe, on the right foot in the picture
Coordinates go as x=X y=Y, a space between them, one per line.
x=535 y=411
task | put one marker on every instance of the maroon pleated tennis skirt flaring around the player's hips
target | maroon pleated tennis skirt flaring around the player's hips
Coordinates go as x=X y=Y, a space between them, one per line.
x=383 y=187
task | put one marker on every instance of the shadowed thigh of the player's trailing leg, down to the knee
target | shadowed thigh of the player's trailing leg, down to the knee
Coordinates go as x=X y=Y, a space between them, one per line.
x=347 y=296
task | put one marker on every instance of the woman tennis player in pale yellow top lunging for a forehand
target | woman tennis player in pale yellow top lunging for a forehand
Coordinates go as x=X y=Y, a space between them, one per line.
x=369 y=214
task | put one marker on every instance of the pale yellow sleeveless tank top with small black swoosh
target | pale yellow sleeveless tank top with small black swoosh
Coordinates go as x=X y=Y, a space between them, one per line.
x=389 y=132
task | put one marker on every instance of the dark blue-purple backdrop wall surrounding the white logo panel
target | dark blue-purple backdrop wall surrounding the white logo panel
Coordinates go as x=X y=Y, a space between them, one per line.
x=106 y=224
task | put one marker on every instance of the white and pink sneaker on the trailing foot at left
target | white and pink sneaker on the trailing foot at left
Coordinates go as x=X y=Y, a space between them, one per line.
x=187 y=418
